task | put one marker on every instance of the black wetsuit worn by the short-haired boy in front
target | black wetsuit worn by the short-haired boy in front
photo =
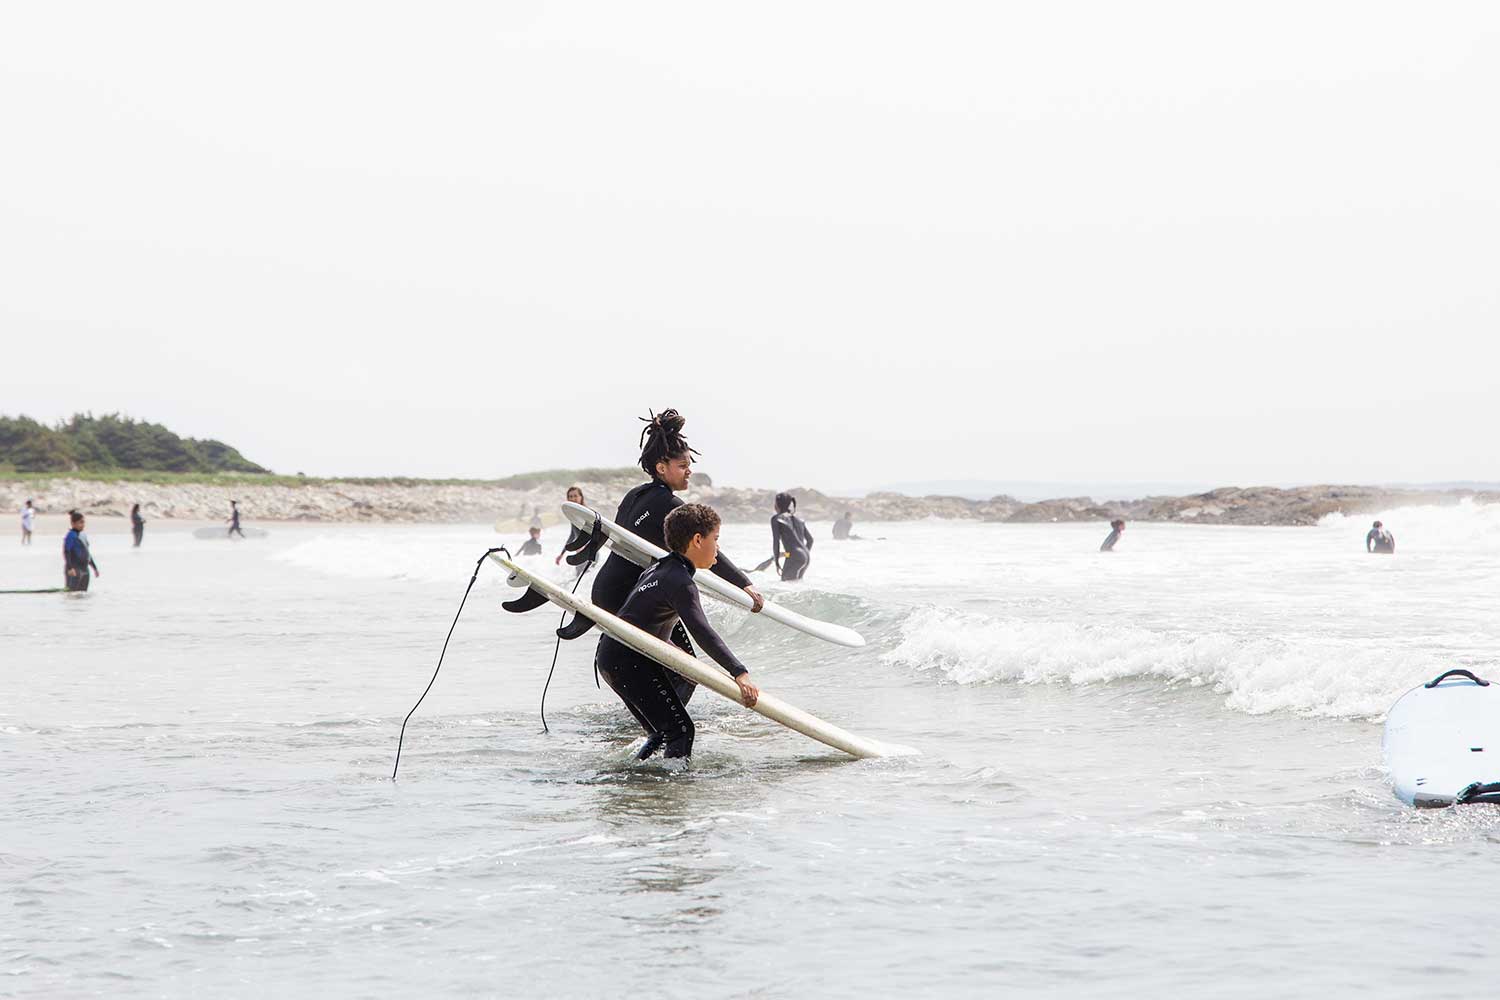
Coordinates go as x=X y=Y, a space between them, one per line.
x=664 y=600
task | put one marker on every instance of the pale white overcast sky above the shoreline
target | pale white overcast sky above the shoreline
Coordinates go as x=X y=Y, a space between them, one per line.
x=853 y=244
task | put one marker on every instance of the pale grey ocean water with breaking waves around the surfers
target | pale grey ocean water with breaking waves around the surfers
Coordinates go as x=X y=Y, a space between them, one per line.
x=1141 y=773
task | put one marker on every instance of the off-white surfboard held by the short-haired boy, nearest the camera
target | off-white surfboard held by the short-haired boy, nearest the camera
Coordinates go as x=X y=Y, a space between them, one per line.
x=706 y=675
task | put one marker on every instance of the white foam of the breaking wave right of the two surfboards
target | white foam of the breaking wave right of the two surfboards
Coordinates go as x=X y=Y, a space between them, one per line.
x=1256 y=675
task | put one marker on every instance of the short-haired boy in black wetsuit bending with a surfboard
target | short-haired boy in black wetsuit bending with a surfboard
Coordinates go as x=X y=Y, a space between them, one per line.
x=664 y=600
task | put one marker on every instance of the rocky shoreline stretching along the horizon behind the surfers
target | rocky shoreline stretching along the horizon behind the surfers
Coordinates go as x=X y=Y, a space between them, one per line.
x=448 y=503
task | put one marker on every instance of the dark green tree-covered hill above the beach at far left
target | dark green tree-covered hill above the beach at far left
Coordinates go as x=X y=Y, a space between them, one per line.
x=112 y=445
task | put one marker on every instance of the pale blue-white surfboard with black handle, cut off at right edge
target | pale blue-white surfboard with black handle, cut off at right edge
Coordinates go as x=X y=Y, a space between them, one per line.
x=1442 y=740
